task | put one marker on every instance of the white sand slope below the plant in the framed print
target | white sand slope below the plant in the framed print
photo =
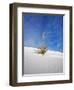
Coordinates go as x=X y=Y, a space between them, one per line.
x=50 y=62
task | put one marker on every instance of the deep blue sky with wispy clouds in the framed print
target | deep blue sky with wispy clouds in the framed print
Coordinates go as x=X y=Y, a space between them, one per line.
x=44 y=30
